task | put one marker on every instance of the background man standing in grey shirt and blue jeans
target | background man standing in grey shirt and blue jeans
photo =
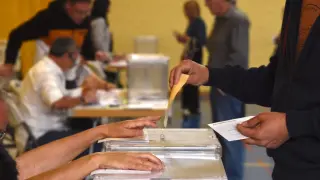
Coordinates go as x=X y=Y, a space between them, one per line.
x=228 y=44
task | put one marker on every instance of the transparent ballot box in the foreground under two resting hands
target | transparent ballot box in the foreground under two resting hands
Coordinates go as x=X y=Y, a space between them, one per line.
x=187 y=154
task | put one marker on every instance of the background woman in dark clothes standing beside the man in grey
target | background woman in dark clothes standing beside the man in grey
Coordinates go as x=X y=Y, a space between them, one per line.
x=194 y=39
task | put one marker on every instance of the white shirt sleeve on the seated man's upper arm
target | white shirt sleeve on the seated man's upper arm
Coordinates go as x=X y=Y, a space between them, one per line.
x=50 y=89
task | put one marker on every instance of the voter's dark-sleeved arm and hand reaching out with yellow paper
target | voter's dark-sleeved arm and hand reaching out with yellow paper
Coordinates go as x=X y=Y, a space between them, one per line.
x=250 y=86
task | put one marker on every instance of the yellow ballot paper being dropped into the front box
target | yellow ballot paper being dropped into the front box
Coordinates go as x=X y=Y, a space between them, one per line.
x=175 y=90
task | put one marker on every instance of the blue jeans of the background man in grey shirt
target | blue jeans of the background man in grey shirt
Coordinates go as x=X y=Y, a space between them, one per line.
x=225 y=107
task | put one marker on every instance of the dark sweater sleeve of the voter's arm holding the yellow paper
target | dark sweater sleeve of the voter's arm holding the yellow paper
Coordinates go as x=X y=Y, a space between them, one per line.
x=252 y=86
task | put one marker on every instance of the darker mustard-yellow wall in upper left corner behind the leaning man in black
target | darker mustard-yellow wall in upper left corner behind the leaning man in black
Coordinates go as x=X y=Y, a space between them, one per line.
x=14 y=12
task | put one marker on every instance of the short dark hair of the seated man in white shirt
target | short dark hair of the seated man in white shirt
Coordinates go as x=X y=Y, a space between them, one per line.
x=62 y=45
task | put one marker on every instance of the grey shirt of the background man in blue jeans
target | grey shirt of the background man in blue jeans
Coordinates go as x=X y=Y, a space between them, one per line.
x=219 y=44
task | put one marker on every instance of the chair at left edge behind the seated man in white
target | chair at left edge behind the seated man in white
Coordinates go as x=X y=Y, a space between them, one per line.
x=21 y=134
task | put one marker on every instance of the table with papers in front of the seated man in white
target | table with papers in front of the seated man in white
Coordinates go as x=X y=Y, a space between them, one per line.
x=111 y=106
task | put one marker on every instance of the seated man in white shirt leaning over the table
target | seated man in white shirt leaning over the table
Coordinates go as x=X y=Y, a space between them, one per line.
x=43 y=94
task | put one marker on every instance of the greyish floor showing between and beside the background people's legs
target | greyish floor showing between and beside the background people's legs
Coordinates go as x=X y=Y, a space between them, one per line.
x=258 y=165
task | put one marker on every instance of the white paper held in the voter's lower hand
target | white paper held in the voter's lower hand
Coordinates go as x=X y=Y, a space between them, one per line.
x=228 y=130
